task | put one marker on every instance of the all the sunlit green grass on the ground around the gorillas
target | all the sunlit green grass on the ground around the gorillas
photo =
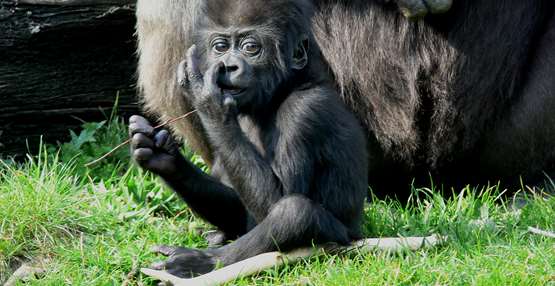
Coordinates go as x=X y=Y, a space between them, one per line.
x=95 y=227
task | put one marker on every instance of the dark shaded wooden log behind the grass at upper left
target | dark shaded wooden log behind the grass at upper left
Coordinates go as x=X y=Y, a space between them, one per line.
x=62 y=62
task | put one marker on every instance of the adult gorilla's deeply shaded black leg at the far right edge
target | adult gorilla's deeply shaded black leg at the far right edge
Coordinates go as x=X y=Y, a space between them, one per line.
x=524 y=139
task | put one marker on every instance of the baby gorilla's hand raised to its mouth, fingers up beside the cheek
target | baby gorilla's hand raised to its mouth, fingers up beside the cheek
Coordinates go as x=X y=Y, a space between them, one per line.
x=209 y=99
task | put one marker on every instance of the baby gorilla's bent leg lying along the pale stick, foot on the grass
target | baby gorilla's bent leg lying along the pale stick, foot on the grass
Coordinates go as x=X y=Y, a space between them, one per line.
x=293 y=221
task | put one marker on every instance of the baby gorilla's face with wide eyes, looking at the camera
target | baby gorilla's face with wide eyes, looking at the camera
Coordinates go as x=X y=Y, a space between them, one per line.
x=253 y=65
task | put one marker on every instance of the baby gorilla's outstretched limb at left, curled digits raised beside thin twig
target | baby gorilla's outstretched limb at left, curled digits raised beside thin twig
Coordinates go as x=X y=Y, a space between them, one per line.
x=210 y=199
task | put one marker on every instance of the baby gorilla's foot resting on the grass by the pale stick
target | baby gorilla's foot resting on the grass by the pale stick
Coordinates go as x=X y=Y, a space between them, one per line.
x=185 y=262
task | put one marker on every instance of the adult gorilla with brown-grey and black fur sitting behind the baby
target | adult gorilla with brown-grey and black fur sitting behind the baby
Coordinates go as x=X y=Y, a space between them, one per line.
x=467 y=96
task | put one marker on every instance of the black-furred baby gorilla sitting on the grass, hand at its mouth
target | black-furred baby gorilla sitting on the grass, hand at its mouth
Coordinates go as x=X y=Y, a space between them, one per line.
x=290 y=164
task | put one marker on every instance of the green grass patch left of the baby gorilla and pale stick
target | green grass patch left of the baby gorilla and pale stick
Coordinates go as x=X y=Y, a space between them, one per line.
x=85 y=231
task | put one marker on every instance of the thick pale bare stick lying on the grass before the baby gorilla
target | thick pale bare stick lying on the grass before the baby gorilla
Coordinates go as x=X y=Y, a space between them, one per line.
x=268 y=260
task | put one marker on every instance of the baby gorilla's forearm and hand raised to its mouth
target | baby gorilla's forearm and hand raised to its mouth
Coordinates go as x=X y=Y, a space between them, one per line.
x=251 y=174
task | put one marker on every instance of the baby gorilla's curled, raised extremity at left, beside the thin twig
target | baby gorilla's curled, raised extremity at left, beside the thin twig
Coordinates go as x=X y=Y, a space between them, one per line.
x=155 y=151
